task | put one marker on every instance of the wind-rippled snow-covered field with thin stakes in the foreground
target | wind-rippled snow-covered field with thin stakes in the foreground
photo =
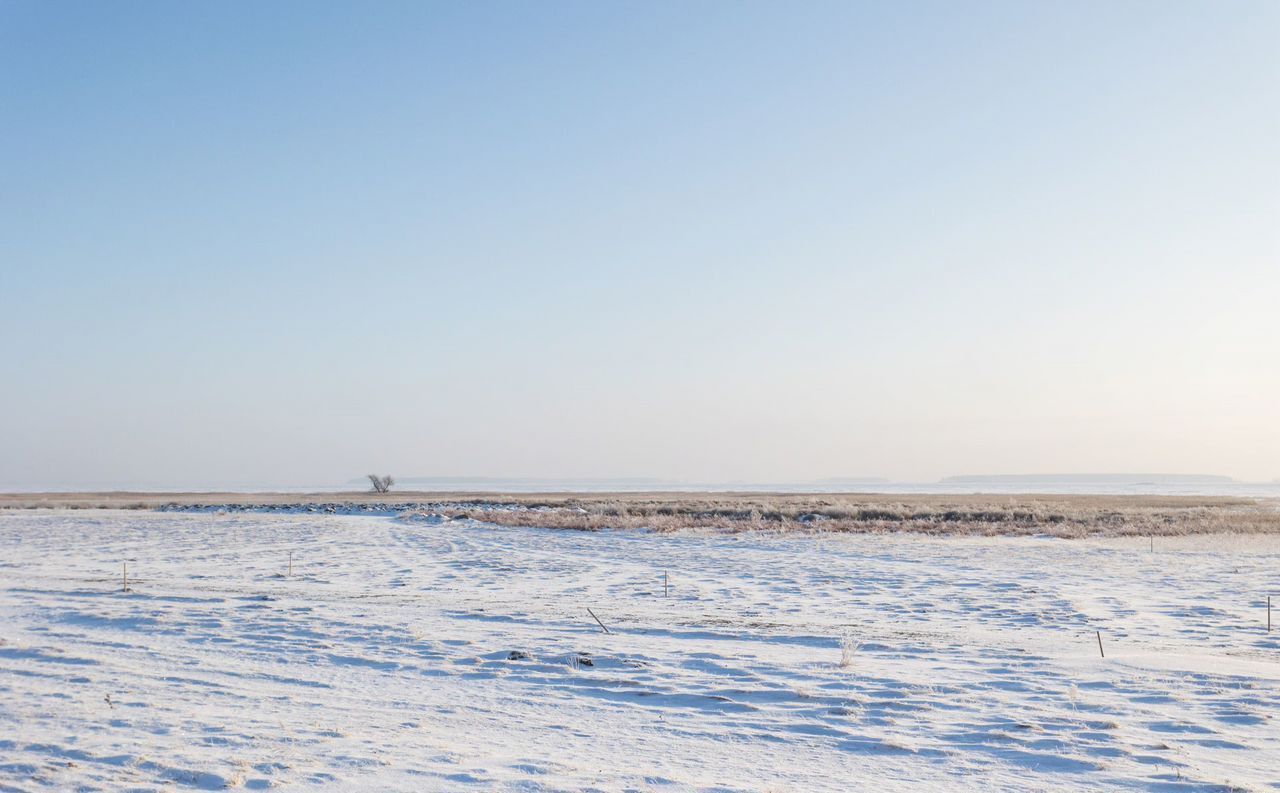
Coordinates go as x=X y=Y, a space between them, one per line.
x=461 y=657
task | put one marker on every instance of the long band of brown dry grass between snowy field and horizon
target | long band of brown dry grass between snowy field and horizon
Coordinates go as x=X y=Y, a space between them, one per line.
x=1064 y=516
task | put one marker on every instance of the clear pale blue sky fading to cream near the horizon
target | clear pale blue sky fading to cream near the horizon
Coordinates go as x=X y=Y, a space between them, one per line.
x=287 y=244
